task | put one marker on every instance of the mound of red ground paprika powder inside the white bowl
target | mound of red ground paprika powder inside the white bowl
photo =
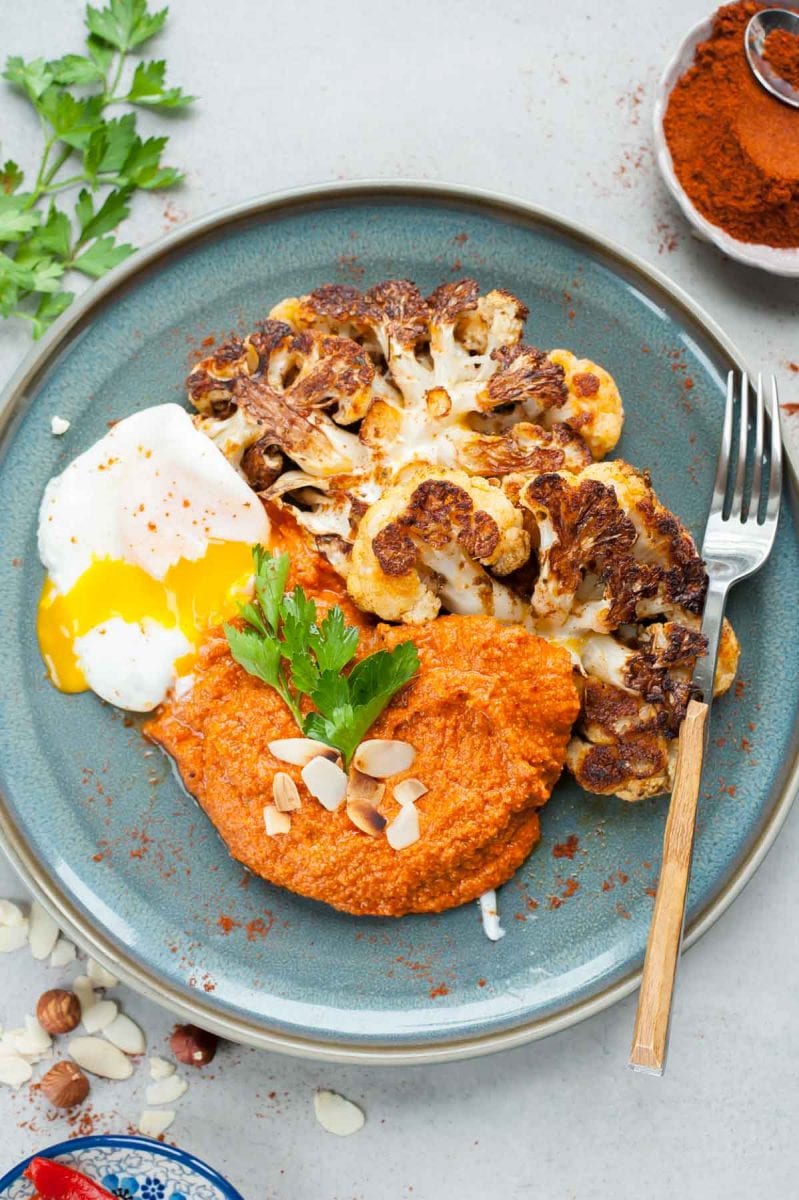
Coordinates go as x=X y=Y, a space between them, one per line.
x=735 y=147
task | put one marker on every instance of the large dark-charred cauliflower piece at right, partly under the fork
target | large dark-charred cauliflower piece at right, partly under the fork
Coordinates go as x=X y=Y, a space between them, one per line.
x=622 y=586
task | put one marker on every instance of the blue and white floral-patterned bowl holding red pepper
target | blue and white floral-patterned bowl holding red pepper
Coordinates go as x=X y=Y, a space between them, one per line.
x=130 y=1168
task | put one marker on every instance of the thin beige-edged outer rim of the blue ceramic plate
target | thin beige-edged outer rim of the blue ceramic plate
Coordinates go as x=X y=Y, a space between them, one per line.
x=238 y=1028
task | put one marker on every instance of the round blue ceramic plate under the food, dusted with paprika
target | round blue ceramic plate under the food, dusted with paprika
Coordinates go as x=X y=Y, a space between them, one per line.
x=98 y=824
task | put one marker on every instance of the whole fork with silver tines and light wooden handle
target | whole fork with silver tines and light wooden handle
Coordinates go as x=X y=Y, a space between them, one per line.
x=738 y=539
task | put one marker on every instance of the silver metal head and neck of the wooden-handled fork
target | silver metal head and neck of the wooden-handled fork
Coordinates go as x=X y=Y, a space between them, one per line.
x=744 y=511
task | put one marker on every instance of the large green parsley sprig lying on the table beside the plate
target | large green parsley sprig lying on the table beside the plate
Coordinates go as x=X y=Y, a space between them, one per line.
x=85 y=146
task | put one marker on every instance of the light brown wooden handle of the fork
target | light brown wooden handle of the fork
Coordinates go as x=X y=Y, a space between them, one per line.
x=651 y=1035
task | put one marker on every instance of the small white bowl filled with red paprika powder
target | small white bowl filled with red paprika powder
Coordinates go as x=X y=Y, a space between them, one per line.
x=729 y=153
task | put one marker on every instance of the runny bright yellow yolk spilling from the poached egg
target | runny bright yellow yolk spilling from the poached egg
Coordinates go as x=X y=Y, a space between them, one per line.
x=194 y=597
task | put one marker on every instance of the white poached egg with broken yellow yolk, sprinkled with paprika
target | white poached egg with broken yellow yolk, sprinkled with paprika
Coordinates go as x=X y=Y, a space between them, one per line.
x=147 y=543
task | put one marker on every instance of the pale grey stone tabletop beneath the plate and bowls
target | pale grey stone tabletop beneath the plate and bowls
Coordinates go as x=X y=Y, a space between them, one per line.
x=552 y=104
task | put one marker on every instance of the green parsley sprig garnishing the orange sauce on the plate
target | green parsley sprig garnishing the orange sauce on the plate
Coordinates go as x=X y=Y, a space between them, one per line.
x=285 y=645
